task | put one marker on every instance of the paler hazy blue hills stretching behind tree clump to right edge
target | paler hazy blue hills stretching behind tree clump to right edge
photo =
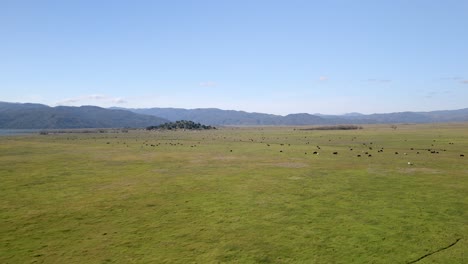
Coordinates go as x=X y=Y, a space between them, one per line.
x=217 y=117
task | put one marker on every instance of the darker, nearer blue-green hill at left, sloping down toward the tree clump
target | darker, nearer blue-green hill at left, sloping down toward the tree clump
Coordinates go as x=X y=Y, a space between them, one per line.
x=37 y=116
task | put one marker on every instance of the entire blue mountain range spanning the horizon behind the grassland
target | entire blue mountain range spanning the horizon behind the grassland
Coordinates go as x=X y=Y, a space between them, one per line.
x=38 y=116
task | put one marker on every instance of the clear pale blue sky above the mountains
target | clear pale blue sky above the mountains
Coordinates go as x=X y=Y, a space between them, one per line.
x=280 y=57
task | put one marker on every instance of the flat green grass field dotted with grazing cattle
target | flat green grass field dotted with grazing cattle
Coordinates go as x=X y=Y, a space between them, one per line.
x=237 y=195
